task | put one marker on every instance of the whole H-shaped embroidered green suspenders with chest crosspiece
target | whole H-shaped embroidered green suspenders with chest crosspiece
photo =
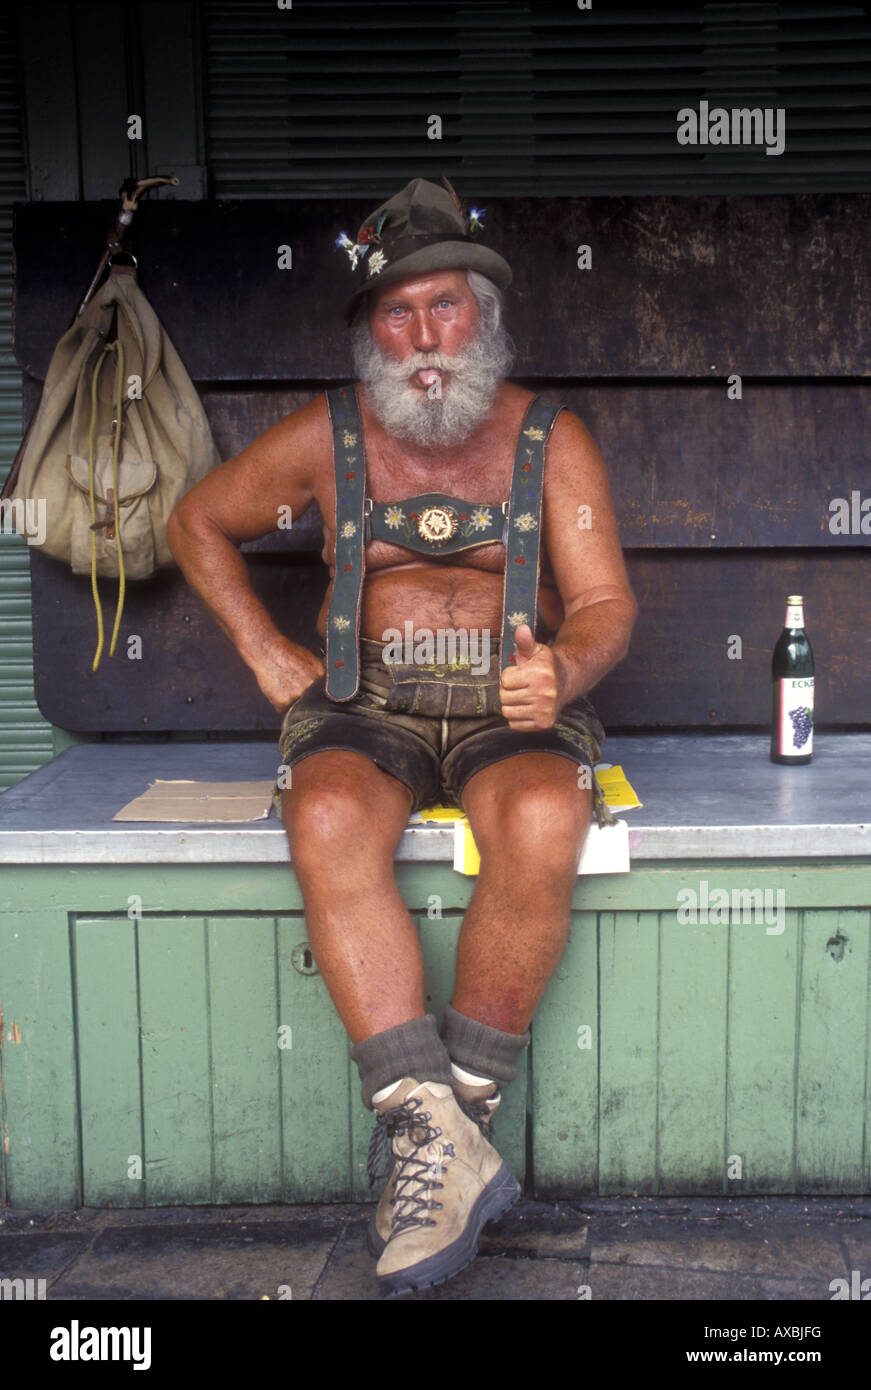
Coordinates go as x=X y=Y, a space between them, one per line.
x=522 y=533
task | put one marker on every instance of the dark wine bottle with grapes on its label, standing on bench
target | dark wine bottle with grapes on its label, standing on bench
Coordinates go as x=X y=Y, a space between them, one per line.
x=793 y=693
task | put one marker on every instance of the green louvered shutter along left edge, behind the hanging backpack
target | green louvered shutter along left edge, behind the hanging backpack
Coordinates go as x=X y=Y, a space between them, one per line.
x=26 y=739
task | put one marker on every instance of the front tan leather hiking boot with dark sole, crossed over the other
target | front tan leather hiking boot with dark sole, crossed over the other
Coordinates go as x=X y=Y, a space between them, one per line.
x=447 y=1184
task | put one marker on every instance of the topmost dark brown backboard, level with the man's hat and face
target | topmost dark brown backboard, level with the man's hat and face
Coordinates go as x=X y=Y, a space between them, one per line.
x=695 y=287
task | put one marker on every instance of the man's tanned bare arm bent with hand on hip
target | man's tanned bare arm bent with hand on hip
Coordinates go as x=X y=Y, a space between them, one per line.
x=242 y=501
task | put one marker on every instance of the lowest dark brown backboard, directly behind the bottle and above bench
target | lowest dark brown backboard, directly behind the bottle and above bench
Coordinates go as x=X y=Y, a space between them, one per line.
x=677 y=673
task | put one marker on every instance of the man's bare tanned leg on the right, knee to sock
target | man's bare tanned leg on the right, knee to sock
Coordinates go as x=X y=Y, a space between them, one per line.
x=530 y=821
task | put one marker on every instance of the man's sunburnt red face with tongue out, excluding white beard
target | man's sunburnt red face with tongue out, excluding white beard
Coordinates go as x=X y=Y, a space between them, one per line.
x=431 y=315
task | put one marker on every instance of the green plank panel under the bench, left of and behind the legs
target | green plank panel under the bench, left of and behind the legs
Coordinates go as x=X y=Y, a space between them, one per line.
x=210 y=1070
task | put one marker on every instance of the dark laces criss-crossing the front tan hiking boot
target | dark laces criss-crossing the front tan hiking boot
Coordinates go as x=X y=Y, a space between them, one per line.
x=417 y=1177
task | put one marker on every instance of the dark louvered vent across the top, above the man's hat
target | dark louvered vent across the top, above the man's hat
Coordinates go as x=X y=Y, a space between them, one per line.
x=334 y=98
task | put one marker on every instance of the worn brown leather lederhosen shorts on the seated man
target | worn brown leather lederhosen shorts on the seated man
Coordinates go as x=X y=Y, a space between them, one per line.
x=434 y=726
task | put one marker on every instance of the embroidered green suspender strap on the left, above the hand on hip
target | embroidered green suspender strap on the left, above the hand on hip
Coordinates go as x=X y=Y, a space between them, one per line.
x=344 y=616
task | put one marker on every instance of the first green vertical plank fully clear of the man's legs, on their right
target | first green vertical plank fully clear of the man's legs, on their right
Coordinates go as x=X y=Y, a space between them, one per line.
x=629 y=971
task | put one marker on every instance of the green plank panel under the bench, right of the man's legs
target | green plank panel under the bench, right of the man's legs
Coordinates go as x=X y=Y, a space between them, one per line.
x=722 y=1060
